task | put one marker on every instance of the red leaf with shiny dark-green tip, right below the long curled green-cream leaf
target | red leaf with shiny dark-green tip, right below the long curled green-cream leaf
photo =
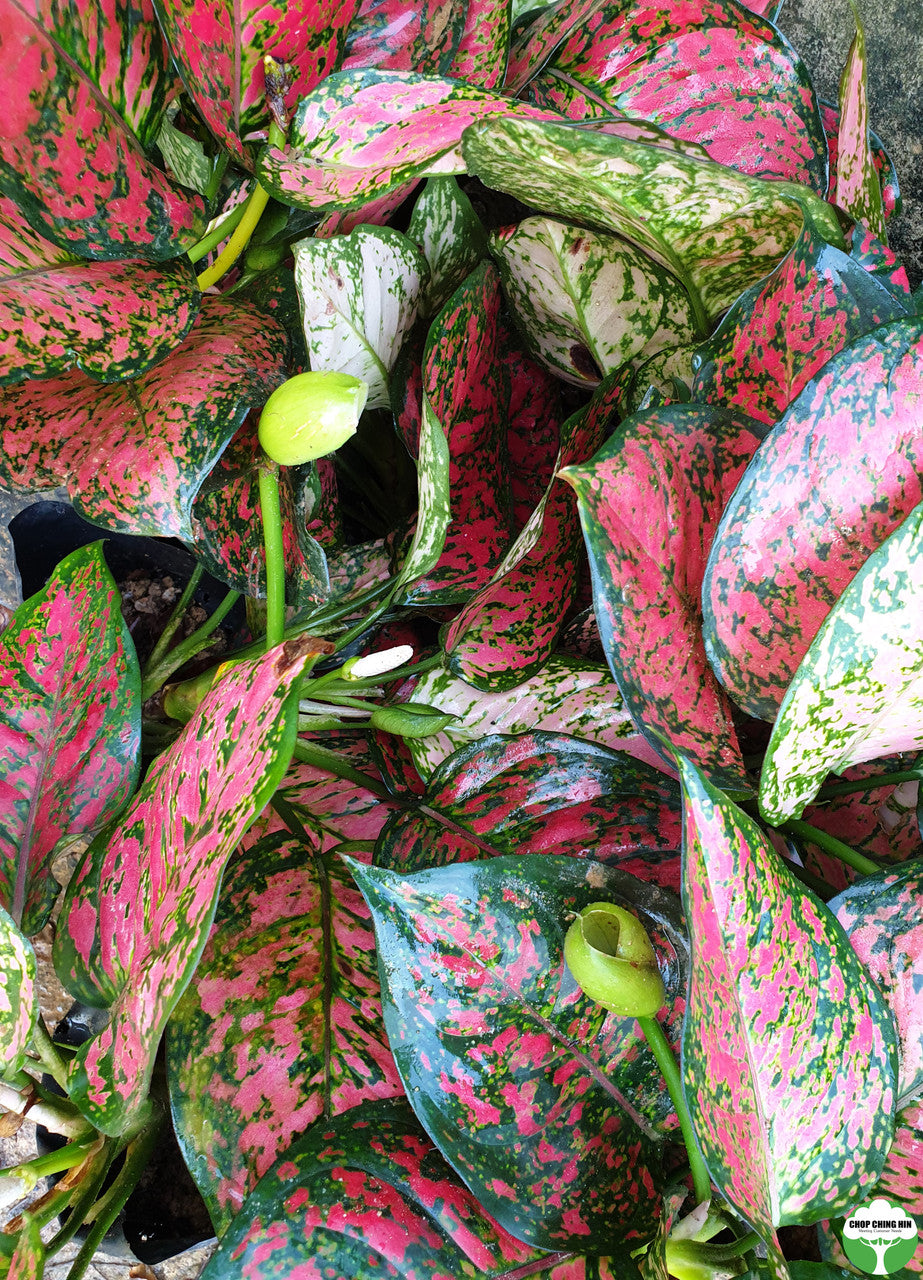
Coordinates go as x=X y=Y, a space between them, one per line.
x=816 y=303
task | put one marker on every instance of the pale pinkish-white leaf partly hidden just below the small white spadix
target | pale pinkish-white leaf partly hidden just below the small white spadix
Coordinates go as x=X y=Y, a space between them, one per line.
x=568 y=696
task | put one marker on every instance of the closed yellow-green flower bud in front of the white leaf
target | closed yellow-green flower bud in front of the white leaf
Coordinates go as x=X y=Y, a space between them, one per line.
x=310 y=417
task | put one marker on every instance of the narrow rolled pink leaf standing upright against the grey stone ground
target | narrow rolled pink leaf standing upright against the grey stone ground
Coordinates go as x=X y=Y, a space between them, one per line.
x=858 y=189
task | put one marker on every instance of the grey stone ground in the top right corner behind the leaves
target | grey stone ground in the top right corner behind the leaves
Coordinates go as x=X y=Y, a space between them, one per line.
x=823 y=31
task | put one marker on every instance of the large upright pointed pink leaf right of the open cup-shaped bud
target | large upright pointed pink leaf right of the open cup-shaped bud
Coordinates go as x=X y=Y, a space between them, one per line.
x=789 y=1052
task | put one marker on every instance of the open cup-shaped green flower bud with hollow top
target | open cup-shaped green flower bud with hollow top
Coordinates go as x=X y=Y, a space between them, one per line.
x=611 y=957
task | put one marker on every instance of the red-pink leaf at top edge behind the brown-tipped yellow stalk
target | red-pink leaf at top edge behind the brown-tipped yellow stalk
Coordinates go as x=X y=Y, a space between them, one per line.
x=220 y=48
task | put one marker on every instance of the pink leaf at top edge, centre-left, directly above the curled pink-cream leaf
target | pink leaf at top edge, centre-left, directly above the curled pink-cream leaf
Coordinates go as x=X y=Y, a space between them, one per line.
x=463 y=39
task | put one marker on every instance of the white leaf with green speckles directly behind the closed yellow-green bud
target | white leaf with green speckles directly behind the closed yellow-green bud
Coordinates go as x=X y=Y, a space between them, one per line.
x=359 y=295
